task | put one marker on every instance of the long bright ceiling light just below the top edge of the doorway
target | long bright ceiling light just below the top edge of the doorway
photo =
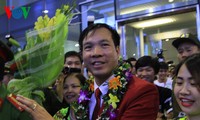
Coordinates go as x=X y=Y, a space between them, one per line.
x=154 y=22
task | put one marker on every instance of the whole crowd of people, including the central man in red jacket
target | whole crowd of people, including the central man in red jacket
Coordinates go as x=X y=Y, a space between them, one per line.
x=132 y=89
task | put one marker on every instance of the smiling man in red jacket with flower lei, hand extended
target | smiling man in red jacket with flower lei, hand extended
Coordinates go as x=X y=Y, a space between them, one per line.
x=114 y=94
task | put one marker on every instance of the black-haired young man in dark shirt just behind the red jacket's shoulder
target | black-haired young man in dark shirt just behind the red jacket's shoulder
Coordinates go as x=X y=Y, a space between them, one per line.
x=147 y=68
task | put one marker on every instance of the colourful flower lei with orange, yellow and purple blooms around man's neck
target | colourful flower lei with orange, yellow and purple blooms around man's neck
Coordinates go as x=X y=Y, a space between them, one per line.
x=117 y=88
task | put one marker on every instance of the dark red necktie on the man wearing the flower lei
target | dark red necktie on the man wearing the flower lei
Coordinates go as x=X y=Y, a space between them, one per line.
x=98 y=102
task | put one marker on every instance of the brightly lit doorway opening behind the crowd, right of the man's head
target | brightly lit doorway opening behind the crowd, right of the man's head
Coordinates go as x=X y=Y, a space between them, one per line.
x=158 y=32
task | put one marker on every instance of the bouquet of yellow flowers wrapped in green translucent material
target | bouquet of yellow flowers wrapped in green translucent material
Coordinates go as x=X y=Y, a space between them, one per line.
x=41 y=61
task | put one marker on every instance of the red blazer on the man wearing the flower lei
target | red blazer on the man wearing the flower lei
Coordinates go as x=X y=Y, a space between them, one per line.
x=140 y=102
